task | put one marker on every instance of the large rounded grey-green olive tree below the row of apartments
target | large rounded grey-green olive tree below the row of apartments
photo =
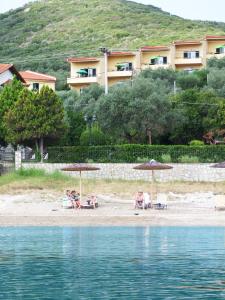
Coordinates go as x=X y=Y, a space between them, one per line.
x=137 y=113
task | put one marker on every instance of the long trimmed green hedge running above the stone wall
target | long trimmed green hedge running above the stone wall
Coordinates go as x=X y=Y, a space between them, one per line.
x=134 y=153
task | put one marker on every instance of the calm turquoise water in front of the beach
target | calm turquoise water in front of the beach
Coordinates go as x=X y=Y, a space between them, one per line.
x=112 y=263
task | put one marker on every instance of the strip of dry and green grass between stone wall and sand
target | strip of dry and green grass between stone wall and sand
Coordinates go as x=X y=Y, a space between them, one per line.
x=32 y=179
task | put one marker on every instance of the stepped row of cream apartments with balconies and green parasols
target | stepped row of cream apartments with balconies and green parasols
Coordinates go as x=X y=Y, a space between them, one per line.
x=121 y=66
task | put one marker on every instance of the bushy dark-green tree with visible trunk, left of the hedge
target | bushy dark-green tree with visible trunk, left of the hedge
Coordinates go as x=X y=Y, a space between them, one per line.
x=35 y=116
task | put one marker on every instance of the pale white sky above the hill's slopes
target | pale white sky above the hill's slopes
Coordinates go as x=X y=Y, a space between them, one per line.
x=190 y=9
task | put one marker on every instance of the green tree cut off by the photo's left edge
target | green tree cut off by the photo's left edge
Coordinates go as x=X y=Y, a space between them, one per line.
x=8 y=96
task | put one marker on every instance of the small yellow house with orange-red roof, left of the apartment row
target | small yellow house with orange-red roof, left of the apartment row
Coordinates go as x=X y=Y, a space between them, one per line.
x=35 y=81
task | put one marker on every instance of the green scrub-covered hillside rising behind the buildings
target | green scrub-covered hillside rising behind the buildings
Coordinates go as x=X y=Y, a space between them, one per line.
x=41 y=35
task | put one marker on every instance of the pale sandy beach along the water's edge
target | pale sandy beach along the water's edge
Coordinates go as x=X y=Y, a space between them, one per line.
x=41 y=208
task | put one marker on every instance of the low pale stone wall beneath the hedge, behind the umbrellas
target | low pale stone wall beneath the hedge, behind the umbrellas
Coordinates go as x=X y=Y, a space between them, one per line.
x=180 y=172
